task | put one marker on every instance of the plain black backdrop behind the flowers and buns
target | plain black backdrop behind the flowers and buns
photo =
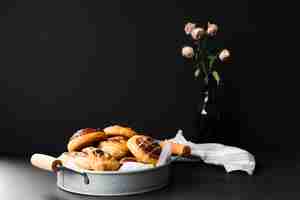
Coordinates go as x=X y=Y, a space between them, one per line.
x=70 y=64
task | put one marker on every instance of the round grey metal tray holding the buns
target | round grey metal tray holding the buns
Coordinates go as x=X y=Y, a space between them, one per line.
x=113 y=183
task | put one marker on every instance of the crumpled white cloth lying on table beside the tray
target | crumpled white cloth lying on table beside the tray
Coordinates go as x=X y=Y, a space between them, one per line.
x=232 y=158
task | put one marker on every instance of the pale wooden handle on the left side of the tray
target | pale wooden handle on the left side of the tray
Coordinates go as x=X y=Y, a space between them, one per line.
x=45 y=162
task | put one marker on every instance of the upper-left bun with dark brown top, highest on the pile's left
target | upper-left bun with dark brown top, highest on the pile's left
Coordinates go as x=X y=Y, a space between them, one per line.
x=83 y=138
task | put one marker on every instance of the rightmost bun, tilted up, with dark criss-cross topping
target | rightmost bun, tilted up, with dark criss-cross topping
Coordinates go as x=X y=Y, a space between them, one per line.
x=144 y=148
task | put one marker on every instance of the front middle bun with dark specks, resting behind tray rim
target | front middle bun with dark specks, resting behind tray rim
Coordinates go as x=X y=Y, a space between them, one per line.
x=101 y=161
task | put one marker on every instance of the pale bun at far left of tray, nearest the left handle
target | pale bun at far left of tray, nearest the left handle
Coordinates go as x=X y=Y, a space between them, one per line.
x=80 y=159
